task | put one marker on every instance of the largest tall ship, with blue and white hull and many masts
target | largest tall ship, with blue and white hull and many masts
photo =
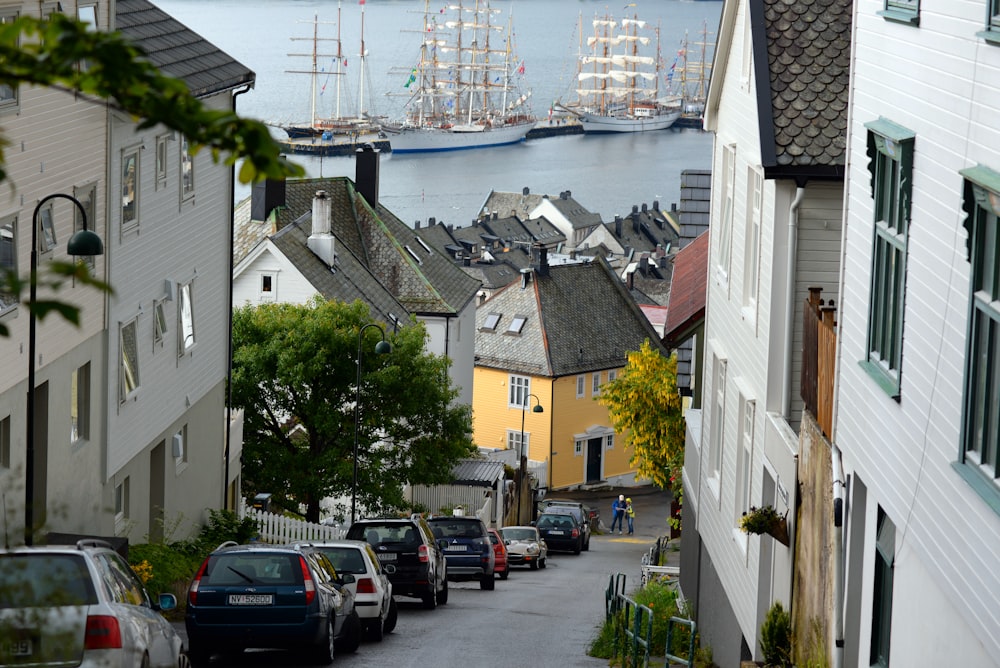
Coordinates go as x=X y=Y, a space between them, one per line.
x=463 y=92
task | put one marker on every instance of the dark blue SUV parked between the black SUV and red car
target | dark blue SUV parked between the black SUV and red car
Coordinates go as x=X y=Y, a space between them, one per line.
x=467 y=549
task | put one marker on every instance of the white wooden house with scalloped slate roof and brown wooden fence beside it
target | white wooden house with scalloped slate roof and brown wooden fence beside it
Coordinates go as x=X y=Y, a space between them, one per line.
x=779 y=117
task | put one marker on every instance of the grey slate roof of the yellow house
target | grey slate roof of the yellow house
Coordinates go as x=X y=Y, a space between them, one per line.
x=579 y=318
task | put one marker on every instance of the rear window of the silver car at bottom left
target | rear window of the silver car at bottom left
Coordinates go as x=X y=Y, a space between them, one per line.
x=45 y=580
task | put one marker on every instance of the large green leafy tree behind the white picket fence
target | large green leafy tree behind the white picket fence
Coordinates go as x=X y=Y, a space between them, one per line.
x=295 y=375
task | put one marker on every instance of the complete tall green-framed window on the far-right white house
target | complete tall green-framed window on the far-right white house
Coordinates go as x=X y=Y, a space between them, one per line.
x=890 y=148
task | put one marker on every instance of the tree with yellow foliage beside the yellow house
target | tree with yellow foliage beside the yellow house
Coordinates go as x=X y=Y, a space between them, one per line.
x=643 y=402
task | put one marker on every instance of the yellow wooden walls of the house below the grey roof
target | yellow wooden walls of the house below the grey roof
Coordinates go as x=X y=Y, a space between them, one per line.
x=565 y=416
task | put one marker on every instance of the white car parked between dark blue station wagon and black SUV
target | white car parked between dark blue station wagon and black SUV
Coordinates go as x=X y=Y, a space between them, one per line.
x=371 y=588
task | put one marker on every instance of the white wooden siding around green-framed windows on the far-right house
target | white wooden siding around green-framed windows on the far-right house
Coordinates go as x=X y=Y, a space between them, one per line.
x=902 y=451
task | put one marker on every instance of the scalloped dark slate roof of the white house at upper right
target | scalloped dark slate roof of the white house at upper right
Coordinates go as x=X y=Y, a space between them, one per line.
x=803 y=99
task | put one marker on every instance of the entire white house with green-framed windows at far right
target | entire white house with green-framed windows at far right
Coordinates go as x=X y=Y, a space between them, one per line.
x=916 y=415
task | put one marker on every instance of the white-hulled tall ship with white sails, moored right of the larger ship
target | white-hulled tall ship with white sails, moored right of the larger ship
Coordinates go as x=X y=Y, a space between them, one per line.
x=618 y=82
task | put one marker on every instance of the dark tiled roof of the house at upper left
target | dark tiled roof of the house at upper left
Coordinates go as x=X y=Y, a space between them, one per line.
x=178 y=51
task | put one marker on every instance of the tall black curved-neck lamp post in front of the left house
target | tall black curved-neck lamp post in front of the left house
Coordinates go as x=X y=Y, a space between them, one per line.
x=83 y=242
